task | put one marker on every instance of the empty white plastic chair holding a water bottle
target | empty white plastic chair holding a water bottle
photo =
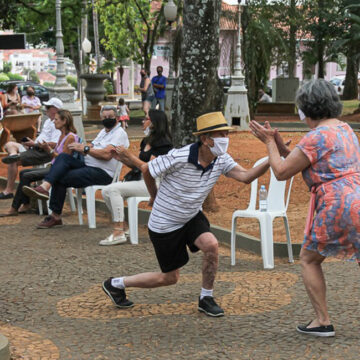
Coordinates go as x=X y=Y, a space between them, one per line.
x=276 y=207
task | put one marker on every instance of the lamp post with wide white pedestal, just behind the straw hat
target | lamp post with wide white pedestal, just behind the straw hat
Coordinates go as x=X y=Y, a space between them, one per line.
x=237 y=106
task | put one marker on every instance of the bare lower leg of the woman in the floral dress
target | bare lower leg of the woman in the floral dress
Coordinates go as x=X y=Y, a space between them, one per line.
x=315 y=285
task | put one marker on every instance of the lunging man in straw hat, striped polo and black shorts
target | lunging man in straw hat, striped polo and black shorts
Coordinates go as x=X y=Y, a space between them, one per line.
x=176 y=221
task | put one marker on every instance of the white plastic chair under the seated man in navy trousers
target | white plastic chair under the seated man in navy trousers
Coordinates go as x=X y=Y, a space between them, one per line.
x=90 y=198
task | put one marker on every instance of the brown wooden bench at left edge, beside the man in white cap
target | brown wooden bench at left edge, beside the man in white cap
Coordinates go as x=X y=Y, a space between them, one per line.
x=19 y=126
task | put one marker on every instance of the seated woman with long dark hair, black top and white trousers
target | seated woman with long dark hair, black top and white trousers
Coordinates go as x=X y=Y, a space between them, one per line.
x=157 y=142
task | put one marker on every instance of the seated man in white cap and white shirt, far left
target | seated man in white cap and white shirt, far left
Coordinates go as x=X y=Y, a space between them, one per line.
x=28 y=153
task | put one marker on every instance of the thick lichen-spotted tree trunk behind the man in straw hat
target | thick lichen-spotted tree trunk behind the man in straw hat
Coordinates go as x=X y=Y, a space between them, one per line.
x=198 y=90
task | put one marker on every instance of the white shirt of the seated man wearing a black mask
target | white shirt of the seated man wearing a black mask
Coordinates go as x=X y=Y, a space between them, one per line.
x=116 y=136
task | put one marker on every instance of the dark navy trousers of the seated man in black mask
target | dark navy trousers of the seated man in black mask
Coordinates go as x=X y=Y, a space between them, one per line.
x=70 y=172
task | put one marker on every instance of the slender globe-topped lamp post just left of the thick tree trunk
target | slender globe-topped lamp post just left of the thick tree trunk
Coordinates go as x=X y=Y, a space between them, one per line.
x=170 y=13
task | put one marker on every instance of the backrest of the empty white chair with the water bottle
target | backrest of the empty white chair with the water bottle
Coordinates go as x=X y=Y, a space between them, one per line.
x=276 y=192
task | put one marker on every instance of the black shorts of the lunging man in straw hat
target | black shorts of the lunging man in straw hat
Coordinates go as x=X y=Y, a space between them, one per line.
x=170 y=248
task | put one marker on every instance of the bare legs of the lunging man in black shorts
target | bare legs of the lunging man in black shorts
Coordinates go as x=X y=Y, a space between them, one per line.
x=207 y=243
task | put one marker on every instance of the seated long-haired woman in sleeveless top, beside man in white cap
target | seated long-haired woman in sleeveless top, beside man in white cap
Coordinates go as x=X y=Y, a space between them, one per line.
x=64 y=122
